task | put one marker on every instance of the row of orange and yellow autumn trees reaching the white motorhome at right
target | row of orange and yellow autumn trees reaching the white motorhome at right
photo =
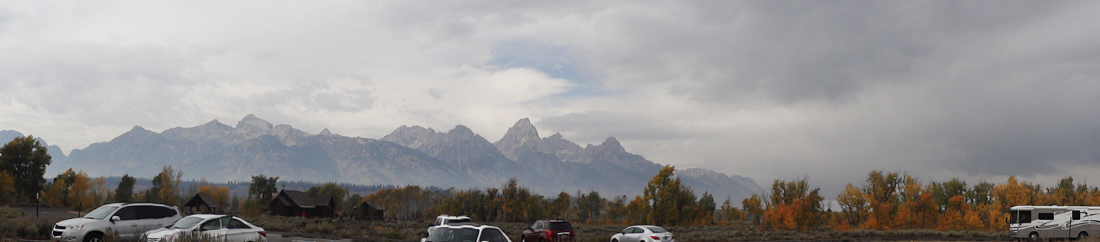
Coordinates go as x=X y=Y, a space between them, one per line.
x=900 y=202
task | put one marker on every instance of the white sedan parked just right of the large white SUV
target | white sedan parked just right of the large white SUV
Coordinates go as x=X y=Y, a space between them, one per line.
x=210 y=227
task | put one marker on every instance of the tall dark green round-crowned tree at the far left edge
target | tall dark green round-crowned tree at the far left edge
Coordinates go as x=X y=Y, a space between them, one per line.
x=26 y=160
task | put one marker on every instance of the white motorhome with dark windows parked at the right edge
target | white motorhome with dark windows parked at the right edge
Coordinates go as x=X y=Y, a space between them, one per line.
x=1036 y=223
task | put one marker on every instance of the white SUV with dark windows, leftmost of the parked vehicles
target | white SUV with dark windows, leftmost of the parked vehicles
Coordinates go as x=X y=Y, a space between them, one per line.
x=129 y=221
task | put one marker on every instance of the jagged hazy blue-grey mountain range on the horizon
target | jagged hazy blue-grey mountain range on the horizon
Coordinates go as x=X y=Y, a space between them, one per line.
x=410 y=156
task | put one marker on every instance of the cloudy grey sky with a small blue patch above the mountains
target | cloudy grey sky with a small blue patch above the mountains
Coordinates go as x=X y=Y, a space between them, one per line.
x=764 y=90
